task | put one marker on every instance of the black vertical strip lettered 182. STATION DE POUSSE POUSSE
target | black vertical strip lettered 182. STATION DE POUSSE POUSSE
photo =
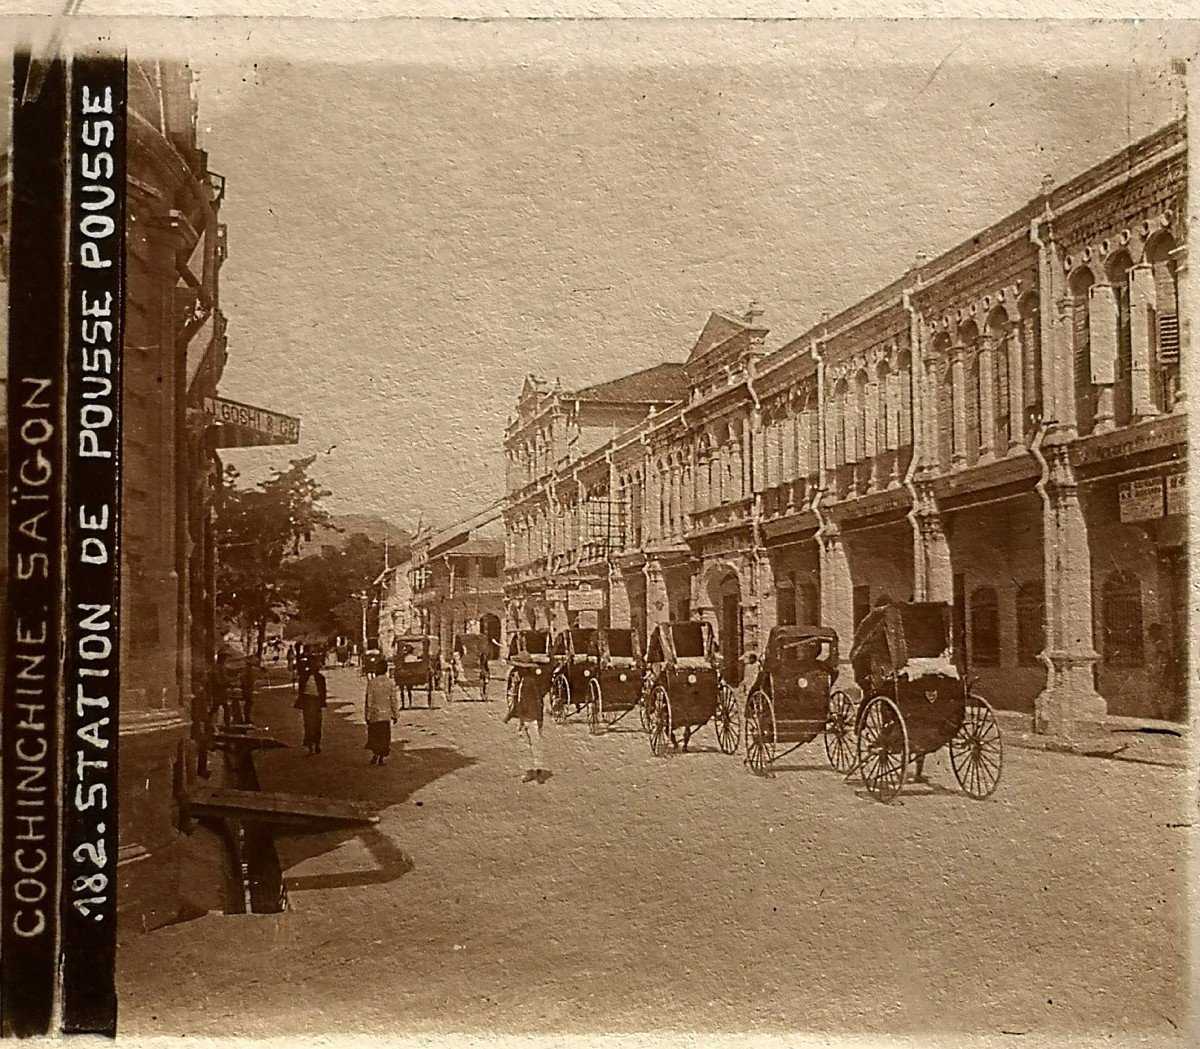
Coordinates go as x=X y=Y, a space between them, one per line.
x=92 y=667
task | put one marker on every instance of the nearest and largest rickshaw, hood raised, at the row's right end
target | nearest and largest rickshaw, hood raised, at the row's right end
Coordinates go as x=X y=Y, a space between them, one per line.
x=916 y=702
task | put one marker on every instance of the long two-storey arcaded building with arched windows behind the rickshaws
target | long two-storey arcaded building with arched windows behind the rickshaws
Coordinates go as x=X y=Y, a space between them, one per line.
x=1004 y=428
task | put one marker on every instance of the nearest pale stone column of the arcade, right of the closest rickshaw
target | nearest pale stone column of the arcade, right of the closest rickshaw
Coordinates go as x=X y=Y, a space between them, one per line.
x=1070 y=703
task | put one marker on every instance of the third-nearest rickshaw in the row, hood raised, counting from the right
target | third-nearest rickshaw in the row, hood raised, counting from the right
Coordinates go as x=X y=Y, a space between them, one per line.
x=686 y=690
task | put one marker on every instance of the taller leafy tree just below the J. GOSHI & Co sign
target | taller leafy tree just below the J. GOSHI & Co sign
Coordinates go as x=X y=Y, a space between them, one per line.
x=259 y=531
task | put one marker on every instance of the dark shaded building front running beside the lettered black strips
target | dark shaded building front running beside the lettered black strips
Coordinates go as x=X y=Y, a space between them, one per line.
x=175 y=353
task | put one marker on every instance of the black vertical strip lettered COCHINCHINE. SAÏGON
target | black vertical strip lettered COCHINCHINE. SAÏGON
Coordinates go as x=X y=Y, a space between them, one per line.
x=31 y=721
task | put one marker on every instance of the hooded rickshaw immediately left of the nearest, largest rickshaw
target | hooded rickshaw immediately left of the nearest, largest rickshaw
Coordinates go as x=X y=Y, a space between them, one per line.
x=793 y=700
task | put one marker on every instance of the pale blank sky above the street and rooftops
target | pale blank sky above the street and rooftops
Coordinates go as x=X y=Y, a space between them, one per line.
x=425 y=215
